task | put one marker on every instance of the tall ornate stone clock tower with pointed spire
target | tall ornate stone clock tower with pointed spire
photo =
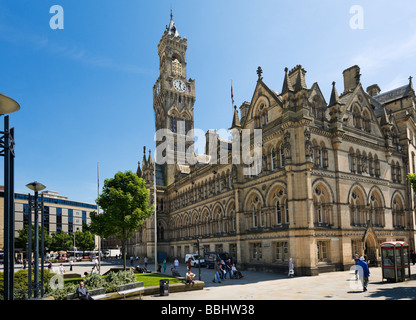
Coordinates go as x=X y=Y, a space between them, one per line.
x=174 y=98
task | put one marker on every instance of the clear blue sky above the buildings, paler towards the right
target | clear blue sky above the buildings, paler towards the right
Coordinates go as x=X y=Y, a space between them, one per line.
x=86 y=91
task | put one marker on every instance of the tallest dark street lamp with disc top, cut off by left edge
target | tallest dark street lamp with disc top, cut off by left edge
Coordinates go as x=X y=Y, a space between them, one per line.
x=8 y=105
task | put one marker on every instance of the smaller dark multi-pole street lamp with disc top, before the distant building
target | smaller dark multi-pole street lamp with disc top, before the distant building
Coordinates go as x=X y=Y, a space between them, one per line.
x=33 y=203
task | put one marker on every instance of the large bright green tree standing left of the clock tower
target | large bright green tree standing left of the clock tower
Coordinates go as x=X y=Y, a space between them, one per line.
x=125 y=203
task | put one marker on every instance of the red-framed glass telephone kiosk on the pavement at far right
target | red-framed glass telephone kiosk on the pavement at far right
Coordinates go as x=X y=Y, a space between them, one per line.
x=395 y=261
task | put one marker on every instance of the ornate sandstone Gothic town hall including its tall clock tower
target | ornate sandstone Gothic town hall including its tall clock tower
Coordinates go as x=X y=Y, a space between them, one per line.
x=333 y=179
